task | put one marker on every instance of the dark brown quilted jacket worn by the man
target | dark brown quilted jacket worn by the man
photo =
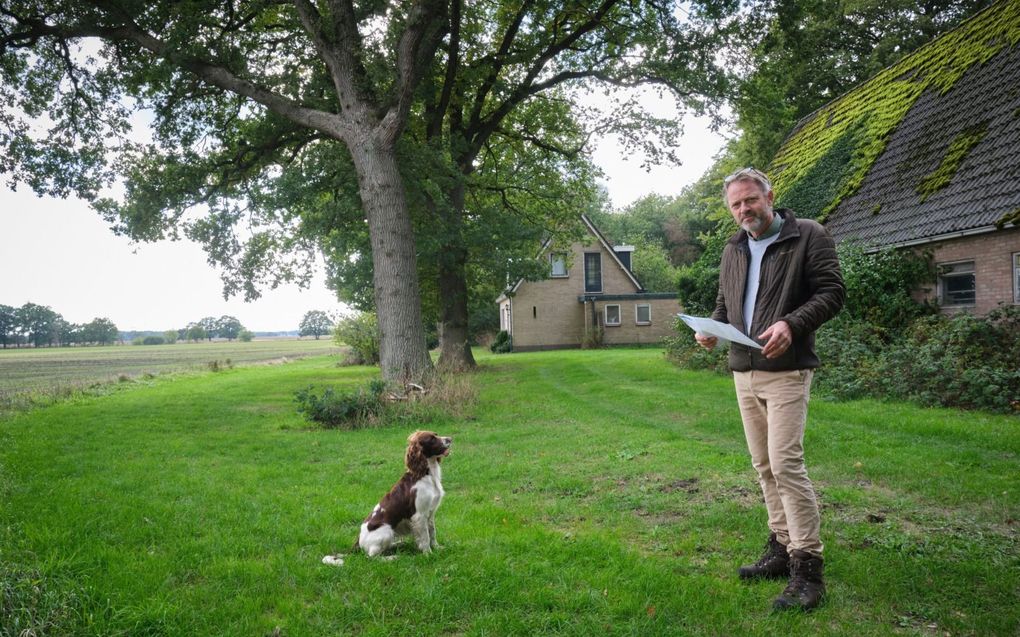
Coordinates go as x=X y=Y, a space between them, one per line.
x=800 y=284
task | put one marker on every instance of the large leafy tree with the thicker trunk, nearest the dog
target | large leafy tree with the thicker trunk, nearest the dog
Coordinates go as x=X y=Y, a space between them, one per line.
x=238 y=92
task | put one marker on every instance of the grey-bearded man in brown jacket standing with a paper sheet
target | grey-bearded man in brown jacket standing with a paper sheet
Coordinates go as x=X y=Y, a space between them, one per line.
x=780 y=281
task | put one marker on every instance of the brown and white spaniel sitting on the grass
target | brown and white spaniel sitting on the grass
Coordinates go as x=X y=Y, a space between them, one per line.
x=410 y=508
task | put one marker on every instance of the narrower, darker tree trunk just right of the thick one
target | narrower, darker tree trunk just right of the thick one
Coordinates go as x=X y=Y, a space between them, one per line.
x=455 y=352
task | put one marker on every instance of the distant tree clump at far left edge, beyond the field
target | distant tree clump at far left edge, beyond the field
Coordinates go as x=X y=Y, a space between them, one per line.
x=40 y=327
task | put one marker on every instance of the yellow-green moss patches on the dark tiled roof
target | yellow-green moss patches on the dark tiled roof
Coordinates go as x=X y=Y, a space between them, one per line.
x=828 y=157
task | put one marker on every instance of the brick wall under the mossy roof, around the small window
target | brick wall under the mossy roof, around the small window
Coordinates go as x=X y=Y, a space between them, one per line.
x=993 y=257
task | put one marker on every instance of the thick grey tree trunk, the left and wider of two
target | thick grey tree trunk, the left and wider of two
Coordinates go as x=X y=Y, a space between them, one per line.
x=403 y=356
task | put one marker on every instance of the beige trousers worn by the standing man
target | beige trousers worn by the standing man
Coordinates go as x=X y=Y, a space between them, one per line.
x=775 y=410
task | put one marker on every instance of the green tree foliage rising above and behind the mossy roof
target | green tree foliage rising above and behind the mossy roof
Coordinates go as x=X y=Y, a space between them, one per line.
x=801 y=55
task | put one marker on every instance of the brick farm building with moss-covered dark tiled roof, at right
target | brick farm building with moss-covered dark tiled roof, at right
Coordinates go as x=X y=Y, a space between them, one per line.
x=926 y=156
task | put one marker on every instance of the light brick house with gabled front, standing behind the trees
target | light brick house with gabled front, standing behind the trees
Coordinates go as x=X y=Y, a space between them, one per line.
x=591 y=295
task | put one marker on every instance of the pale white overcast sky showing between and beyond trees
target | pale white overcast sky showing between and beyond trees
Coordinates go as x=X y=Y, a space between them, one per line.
x=60 y=253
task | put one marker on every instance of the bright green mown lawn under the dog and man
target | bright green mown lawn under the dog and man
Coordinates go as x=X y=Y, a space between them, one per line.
x=588 y=494
